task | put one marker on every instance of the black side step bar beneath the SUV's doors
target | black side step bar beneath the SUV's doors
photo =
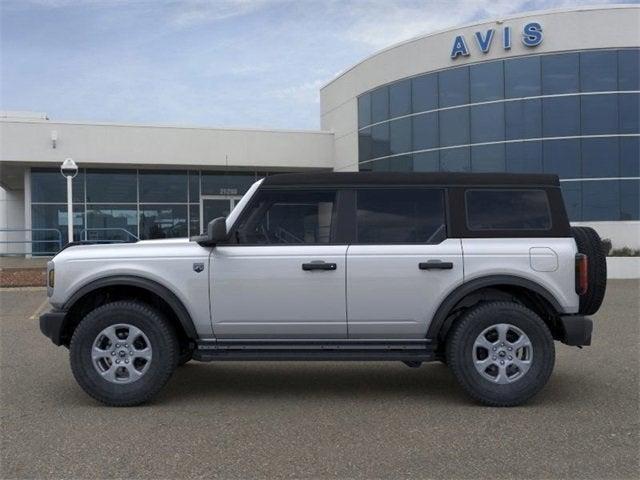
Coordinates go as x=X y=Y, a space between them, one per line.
x=319 y=350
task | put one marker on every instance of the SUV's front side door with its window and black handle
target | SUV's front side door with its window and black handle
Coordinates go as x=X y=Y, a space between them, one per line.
x=283 y=274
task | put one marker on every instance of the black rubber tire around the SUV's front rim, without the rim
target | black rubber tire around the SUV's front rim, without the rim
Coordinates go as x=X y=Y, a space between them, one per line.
x=163 y=342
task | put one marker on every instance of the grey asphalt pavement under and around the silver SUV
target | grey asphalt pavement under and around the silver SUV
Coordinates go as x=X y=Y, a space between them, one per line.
x=322 y=420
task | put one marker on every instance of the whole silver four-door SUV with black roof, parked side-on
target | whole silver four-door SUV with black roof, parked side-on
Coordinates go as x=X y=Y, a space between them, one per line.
x=480 y=271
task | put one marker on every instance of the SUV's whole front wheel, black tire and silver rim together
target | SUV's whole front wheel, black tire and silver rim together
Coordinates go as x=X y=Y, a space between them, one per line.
x=123 y=353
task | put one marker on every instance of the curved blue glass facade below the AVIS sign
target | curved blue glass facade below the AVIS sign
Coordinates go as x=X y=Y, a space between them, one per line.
x=573 y=114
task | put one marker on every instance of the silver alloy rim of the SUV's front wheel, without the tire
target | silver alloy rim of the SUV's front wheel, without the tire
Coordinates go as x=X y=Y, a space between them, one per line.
x=121 y=353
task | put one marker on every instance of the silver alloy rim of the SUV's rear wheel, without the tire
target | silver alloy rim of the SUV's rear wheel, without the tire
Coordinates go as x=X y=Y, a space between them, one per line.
x=502 y=353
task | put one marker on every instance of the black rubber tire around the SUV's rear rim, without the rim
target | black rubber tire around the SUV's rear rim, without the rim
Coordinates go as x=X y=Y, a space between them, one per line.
x=459 y=353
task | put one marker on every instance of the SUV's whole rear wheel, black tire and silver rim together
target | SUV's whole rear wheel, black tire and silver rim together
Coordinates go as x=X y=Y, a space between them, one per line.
x=501 y=353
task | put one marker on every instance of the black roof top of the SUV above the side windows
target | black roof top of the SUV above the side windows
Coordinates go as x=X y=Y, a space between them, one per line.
x=392 y=178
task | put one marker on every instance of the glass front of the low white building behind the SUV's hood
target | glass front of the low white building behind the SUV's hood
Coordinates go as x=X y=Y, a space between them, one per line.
x=118 y=205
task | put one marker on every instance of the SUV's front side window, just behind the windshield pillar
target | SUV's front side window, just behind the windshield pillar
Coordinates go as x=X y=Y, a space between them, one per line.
x=288 y=217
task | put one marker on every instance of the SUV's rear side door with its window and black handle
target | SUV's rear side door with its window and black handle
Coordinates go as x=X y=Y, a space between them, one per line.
x=401 y=264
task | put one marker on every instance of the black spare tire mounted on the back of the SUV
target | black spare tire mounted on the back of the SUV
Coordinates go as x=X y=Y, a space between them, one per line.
x=589 y=243
